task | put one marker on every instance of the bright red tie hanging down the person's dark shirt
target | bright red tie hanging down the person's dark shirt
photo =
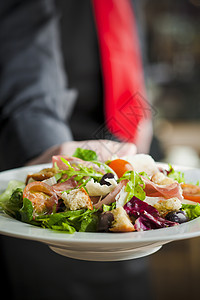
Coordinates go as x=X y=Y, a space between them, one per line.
x=124 y=90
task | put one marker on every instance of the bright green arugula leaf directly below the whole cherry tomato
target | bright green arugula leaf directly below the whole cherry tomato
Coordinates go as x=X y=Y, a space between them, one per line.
x=135 y=186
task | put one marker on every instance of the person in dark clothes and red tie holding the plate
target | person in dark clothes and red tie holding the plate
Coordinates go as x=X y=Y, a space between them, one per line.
x=92 y=97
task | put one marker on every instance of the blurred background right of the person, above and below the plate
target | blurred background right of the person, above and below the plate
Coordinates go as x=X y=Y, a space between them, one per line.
x=169 y=34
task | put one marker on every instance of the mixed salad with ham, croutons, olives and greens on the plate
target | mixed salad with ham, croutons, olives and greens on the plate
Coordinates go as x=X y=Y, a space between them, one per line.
x=81 y=193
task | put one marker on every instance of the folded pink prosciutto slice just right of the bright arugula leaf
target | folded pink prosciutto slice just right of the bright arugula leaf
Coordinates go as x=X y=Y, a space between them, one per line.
x=167 y=191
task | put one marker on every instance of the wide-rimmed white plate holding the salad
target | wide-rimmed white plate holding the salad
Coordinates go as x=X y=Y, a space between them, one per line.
x=96 y=246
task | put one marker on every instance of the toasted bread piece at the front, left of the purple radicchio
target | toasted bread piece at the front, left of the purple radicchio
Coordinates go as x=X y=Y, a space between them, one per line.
x=122 y=222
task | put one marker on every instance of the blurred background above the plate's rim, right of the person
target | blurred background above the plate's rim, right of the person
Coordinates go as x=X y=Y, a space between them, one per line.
x=170 y=31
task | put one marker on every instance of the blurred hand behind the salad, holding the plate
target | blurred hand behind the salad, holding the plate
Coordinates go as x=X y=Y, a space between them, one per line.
x=105 y=149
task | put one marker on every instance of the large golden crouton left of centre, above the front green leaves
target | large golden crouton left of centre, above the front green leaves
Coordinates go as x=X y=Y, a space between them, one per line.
x=77 y=199
